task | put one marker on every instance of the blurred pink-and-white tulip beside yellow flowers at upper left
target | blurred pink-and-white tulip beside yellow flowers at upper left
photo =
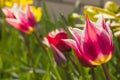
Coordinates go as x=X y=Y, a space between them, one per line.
x=19 y=19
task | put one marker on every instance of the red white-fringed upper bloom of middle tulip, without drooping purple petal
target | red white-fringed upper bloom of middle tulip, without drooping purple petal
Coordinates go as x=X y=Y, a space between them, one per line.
x=55 y=38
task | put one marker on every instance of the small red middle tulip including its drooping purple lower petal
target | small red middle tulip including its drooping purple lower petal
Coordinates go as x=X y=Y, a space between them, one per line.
x=54 y=41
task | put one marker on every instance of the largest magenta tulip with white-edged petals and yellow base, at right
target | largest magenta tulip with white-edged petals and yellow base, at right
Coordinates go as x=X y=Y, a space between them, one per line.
x=93 y=46
